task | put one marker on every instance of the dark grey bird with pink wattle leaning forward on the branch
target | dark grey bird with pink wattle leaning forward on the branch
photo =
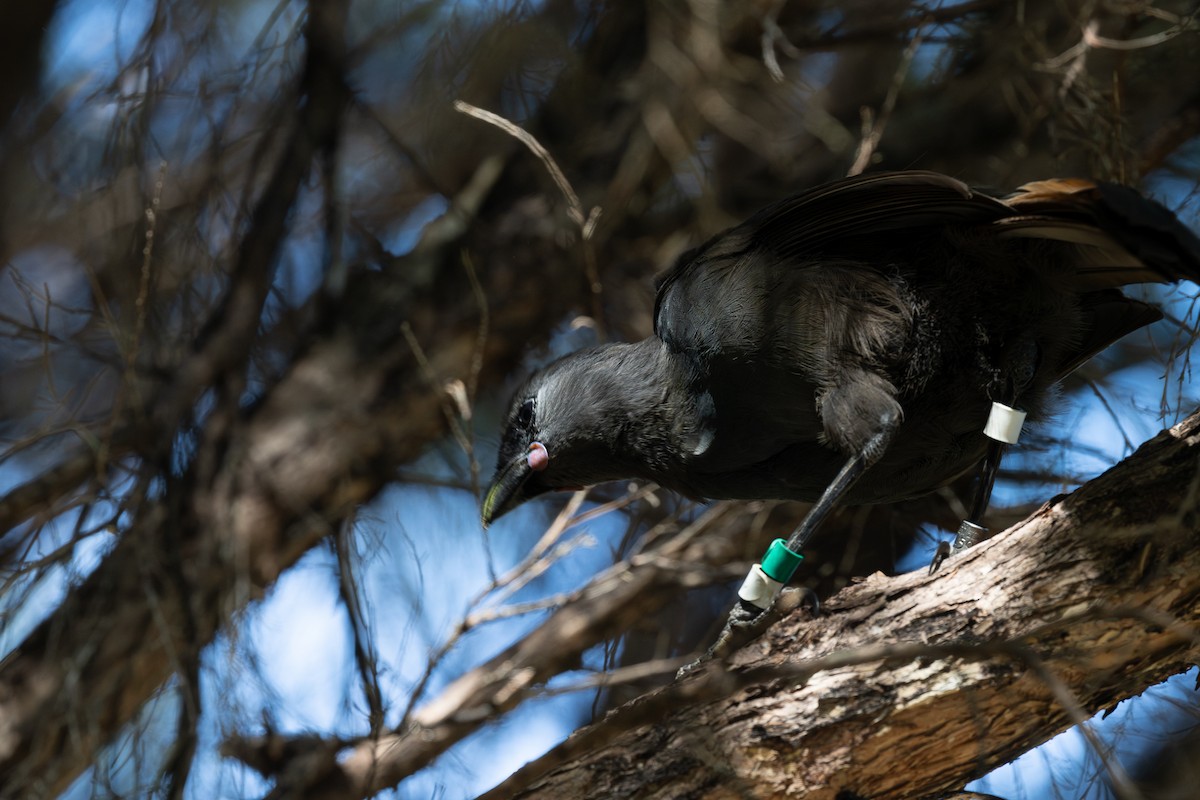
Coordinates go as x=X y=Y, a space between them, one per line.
x=847 y=344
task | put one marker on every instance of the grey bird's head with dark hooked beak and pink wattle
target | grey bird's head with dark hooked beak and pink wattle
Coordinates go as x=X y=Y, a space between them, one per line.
x=562 y=430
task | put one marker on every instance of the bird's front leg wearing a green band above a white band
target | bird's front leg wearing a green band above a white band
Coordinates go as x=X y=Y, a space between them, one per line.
x=757 y=599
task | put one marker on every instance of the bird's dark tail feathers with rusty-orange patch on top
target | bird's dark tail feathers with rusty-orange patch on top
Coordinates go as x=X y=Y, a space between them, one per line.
x=1120 y=237
